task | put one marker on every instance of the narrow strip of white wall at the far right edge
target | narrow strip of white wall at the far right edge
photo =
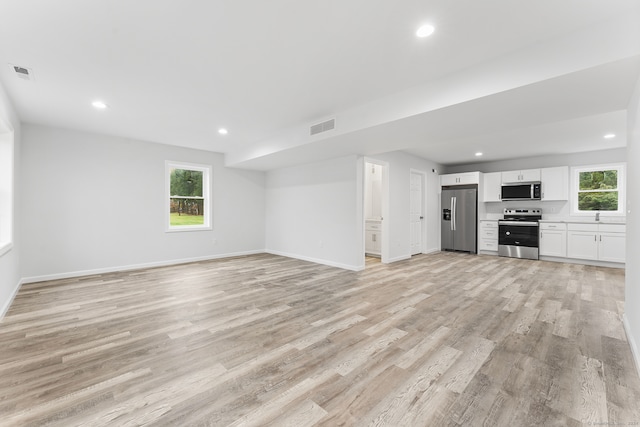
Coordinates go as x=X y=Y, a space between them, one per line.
x=632 y=291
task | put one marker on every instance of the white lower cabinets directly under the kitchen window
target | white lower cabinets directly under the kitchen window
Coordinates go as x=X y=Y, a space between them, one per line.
x=598 y=242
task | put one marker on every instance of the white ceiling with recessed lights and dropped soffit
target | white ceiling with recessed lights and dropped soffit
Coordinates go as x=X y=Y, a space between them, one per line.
x=507 y=78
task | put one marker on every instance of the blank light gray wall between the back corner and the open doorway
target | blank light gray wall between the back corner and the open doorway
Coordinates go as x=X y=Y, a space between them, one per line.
x=314 y=212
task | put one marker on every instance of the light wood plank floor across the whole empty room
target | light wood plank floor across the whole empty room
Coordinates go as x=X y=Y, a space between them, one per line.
x=441 y=339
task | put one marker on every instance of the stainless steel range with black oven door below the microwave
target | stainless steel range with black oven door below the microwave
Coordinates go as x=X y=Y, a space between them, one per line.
x=519 y=233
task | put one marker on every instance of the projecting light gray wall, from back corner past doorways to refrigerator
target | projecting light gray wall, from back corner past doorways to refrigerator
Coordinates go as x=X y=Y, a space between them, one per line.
x=315 y=211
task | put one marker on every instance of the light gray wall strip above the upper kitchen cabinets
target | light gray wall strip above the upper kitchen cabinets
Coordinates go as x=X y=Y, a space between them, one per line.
x=574 y=159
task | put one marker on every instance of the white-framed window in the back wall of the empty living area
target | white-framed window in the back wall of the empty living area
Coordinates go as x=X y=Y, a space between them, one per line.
x=188 y=196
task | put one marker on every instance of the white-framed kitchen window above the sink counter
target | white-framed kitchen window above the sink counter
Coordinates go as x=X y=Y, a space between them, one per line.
x=598 y=188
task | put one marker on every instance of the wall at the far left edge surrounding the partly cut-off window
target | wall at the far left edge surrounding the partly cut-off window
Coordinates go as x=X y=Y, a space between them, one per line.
x=10 y=261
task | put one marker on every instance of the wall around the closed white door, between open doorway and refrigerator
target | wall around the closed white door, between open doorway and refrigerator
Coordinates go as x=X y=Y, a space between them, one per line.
x=400 y=166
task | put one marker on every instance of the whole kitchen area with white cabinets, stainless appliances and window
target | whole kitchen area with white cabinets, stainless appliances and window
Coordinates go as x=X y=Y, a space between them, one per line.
x=564 y=214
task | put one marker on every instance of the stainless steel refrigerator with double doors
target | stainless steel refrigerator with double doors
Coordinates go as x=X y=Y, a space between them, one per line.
x=459 y=218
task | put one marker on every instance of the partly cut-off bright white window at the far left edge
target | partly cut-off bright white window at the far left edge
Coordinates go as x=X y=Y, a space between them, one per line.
x=7 y=174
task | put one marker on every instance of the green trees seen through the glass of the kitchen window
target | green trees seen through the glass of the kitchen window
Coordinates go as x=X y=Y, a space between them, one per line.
x=598 y=190
